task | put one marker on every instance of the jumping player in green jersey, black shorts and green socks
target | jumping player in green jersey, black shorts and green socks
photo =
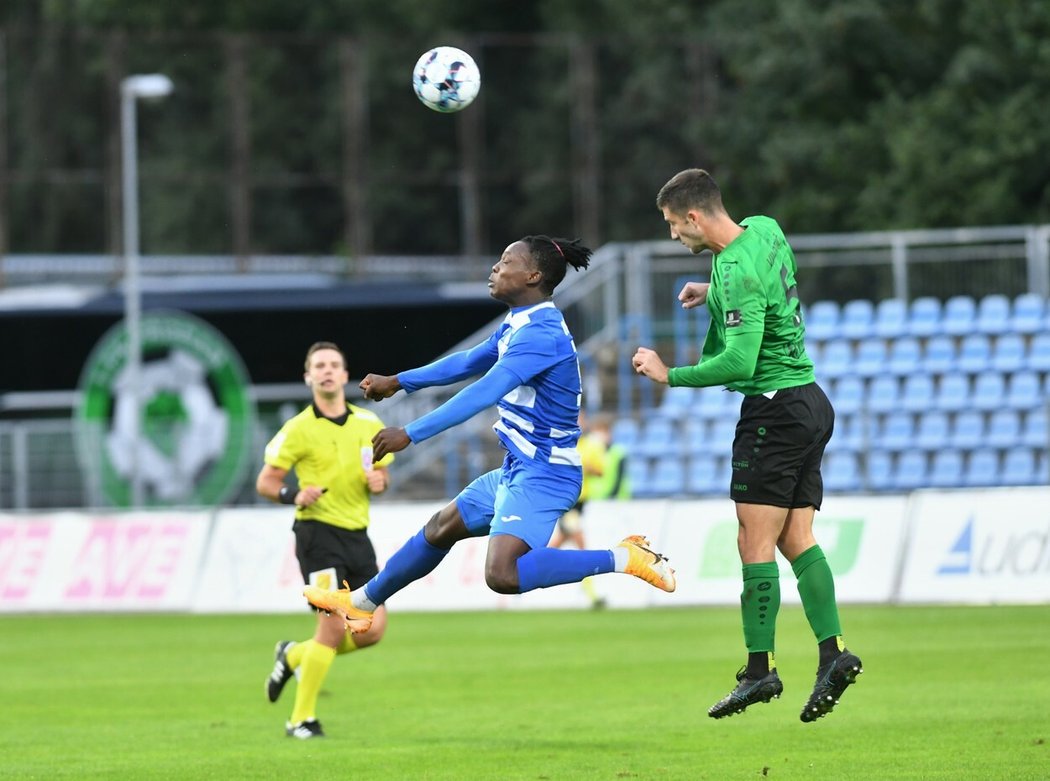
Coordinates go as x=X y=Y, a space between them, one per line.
x=755 y=346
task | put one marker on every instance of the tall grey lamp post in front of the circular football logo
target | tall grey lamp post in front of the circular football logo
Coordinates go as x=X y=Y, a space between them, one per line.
x=133 y=88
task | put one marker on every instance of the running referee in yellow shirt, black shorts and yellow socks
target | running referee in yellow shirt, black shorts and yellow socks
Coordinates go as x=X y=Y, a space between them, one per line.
x=330 y=447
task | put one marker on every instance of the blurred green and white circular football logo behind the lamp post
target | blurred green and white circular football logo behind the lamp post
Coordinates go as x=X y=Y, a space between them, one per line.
x=198 y=418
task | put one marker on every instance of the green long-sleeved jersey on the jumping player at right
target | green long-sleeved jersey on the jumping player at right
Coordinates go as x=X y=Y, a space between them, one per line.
x=753 y=294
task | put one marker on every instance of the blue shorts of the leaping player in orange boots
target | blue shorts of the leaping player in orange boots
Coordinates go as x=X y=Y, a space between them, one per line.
x=521 y=499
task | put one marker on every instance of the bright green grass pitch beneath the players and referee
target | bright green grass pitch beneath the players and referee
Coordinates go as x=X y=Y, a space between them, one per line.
x=948 y=693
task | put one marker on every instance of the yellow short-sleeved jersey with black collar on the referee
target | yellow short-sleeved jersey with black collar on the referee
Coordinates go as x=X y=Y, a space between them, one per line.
x=326 y=454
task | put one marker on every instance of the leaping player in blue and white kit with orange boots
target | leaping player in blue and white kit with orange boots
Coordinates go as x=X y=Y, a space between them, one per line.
x=532 y=374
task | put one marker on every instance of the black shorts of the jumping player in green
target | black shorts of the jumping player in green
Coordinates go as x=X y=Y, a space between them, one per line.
x=779 y=447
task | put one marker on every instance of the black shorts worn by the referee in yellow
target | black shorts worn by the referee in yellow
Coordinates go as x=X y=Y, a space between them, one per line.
x=332 y=554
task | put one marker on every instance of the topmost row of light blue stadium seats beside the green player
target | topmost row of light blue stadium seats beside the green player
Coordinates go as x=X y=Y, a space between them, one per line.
x=926 y=316
